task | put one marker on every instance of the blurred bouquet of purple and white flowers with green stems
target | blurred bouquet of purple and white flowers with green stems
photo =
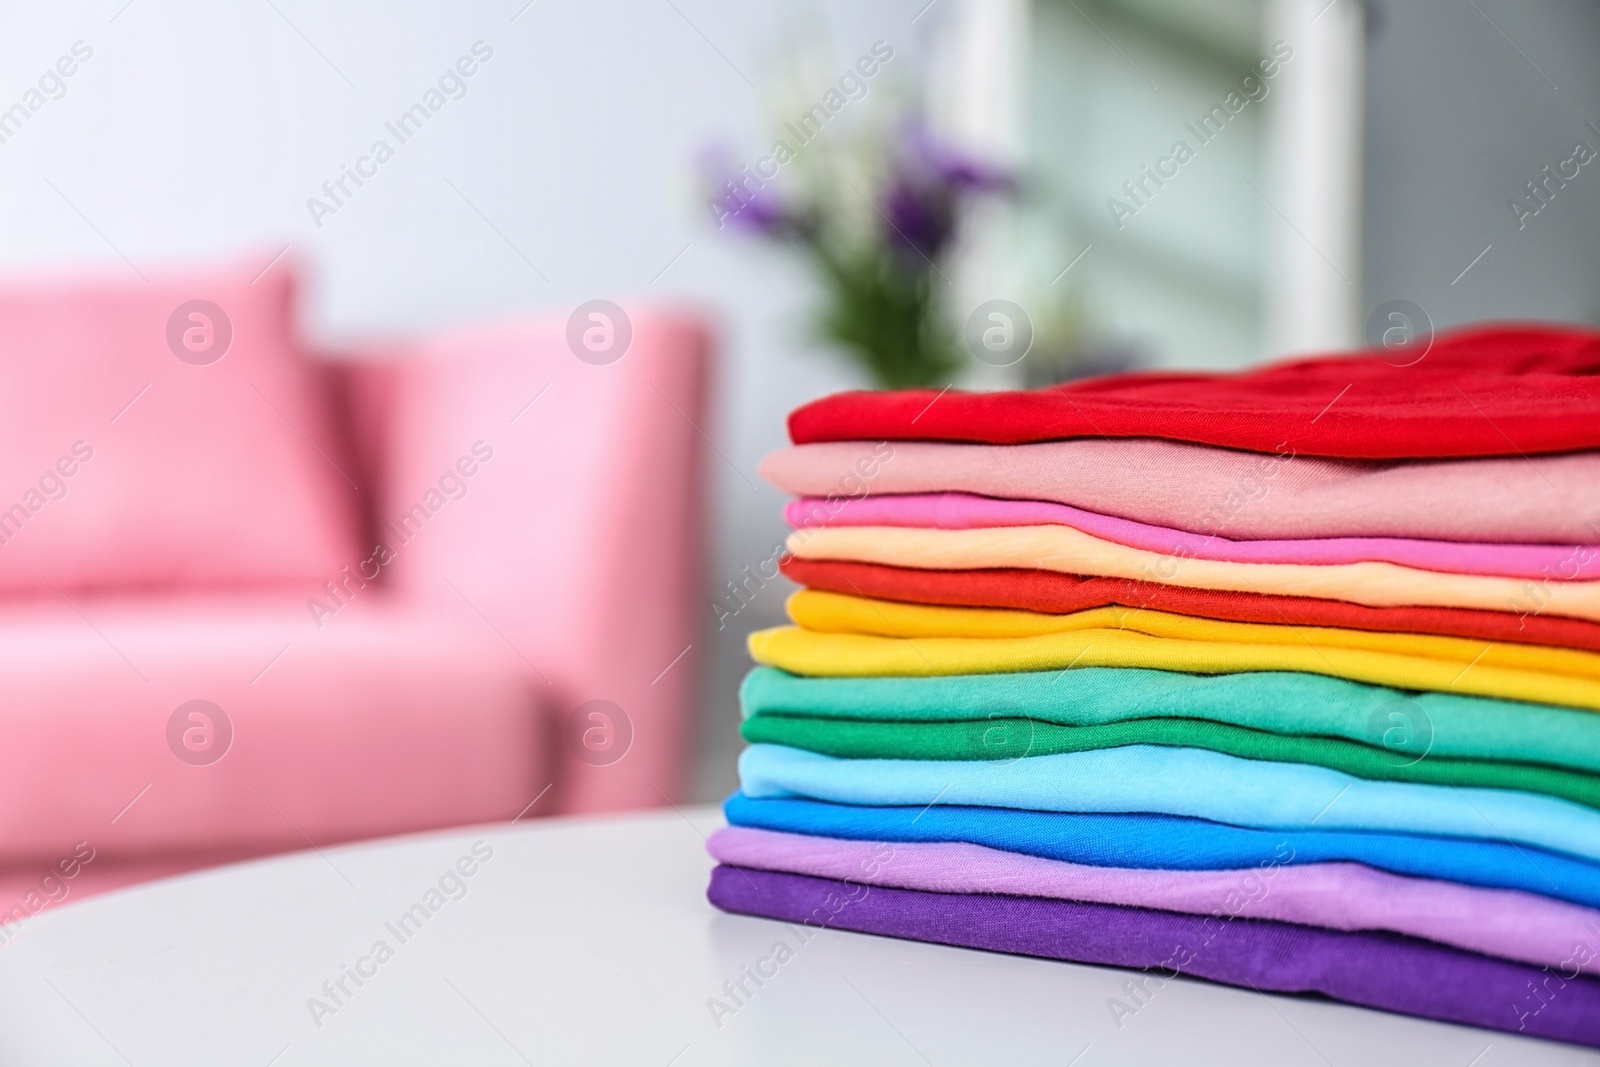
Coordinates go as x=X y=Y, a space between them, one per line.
x=878 y=220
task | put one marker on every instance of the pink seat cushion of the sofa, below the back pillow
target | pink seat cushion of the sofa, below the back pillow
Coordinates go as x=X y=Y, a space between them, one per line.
x=380 y=722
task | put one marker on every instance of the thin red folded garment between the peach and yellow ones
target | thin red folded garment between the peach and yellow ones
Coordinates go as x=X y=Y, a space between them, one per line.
x=1062 y=594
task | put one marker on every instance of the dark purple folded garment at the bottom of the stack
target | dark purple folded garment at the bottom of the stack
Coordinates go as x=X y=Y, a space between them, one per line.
x=1375 y=970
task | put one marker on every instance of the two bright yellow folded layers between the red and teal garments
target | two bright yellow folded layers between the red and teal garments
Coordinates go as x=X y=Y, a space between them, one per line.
x=858 y=637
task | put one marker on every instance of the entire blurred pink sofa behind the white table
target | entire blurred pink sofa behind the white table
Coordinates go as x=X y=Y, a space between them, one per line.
x=542 y=530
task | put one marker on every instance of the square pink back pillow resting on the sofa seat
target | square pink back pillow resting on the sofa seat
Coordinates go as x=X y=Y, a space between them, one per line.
x=164 y=434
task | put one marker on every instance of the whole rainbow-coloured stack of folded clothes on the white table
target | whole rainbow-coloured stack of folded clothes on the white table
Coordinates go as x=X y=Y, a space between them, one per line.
x=1286 y=679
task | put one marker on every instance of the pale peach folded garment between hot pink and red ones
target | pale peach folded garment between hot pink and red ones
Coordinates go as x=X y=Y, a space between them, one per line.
x=1076 y=553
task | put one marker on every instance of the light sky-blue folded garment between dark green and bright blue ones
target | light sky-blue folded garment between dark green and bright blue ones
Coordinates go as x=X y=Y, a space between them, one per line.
x=1191 y=783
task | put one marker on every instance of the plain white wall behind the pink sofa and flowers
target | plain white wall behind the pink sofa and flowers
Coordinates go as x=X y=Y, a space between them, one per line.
x=201 y=129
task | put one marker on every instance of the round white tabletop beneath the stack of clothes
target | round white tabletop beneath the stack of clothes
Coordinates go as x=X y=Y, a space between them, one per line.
x=590 y=941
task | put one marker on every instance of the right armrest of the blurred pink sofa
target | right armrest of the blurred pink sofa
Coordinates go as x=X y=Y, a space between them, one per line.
x=556 y=506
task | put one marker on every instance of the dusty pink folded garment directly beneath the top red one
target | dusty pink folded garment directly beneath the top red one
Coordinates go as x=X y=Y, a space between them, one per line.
x=1542 y=500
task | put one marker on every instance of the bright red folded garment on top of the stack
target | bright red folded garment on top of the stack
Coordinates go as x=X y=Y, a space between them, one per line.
x=1494 y=391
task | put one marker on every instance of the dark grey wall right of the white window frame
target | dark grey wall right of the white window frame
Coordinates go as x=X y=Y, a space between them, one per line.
x=1457 y=122
